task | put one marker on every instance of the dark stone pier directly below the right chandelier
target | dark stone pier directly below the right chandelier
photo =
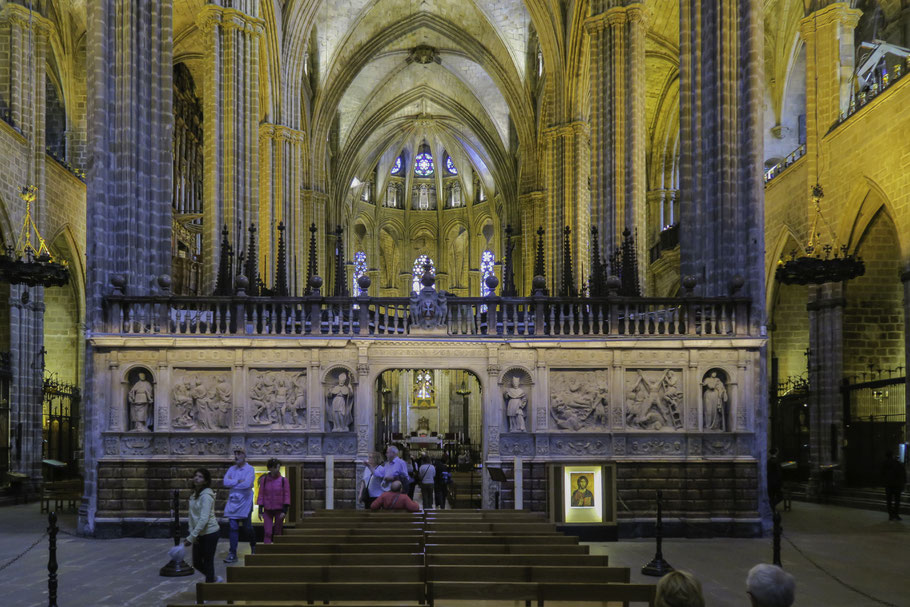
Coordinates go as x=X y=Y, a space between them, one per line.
x=826 y=364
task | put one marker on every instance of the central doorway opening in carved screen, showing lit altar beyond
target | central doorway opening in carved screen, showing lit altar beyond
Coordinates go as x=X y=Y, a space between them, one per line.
x=435 y=414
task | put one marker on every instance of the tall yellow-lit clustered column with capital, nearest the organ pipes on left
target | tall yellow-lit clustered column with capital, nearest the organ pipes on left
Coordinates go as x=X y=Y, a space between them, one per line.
x=230 y=37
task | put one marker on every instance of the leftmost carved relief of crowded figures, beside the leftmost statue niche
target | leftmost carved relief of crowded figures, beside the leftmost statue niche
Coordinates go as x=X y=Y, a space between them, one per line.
x=201 y=400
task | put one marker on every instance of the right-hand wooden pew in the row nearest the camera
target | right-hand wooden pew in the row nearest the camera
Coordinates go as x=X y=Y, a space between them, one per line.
x=541 y=592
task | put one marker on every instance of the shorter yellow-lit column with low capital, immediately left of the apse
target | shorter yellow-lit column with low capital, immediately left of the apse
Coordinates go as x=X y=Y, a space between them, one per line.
x=281 y=156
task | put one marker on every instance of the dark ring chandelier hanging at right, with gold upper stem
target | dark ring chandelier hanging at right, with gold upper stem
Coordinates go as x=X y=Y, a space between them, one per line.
x=818 y=266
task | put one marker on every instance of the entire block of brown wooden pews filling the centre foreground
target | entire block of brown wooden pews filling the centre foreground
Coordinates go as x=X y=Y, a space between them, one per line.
x=425 y=559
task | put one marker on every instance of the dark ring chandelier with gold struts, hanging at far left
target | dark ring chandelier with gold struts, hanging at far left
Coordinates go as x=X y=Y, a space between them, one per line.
x=27 y=264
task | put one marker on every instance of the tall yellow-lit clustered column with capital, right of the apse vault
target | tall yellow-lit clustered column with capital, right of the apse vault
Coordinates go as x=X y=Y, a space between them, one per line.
x=617 y=43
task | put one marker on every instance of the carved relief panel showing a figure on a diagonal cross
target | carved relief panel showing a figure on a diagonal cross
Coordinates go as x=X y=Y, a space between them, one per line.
x=654 y=399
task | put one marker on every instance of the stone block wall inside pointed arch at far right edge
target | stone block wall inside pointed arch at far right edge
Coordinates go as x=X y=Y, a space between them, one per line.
x=873 y=318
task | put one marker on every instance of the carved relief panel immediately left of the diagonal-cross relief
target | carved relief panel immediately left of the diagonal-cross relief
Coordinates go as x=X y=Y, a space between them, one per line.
x=579 y=400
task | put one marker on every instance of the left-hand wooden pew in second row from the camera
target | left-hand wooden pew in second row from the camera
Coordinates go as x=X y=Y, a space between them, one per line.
x=378 y=574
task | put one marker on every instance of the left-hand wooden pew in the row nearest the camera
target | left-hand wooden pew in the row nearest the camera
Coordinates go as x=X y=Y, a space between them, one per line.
x=411 y=592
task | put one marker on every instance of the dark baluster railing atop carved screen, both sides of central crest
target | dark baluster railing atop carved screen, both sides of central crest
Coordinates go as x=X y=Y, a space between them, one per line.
x=465 y=316
